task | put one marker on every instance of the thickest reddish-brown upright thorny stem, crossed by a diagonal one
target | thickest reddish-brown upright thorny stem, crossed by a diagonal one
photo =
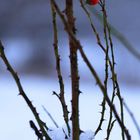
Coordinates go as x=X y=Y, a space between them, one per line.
x=74 y=71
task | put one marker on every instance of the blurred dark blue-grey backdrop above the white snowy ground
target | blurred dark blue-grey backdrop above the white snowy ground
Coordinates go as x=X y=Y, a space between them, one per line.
x=26 y=32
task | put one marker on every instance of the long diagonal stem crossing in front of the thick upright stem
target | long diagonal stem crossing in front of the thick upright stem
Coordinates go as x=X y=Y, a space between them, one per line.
x=77 y=43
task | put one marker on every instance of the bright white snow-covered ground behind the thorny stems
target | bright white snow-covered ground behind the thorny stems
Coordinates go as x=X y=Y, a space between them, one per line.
x=15 y=115
